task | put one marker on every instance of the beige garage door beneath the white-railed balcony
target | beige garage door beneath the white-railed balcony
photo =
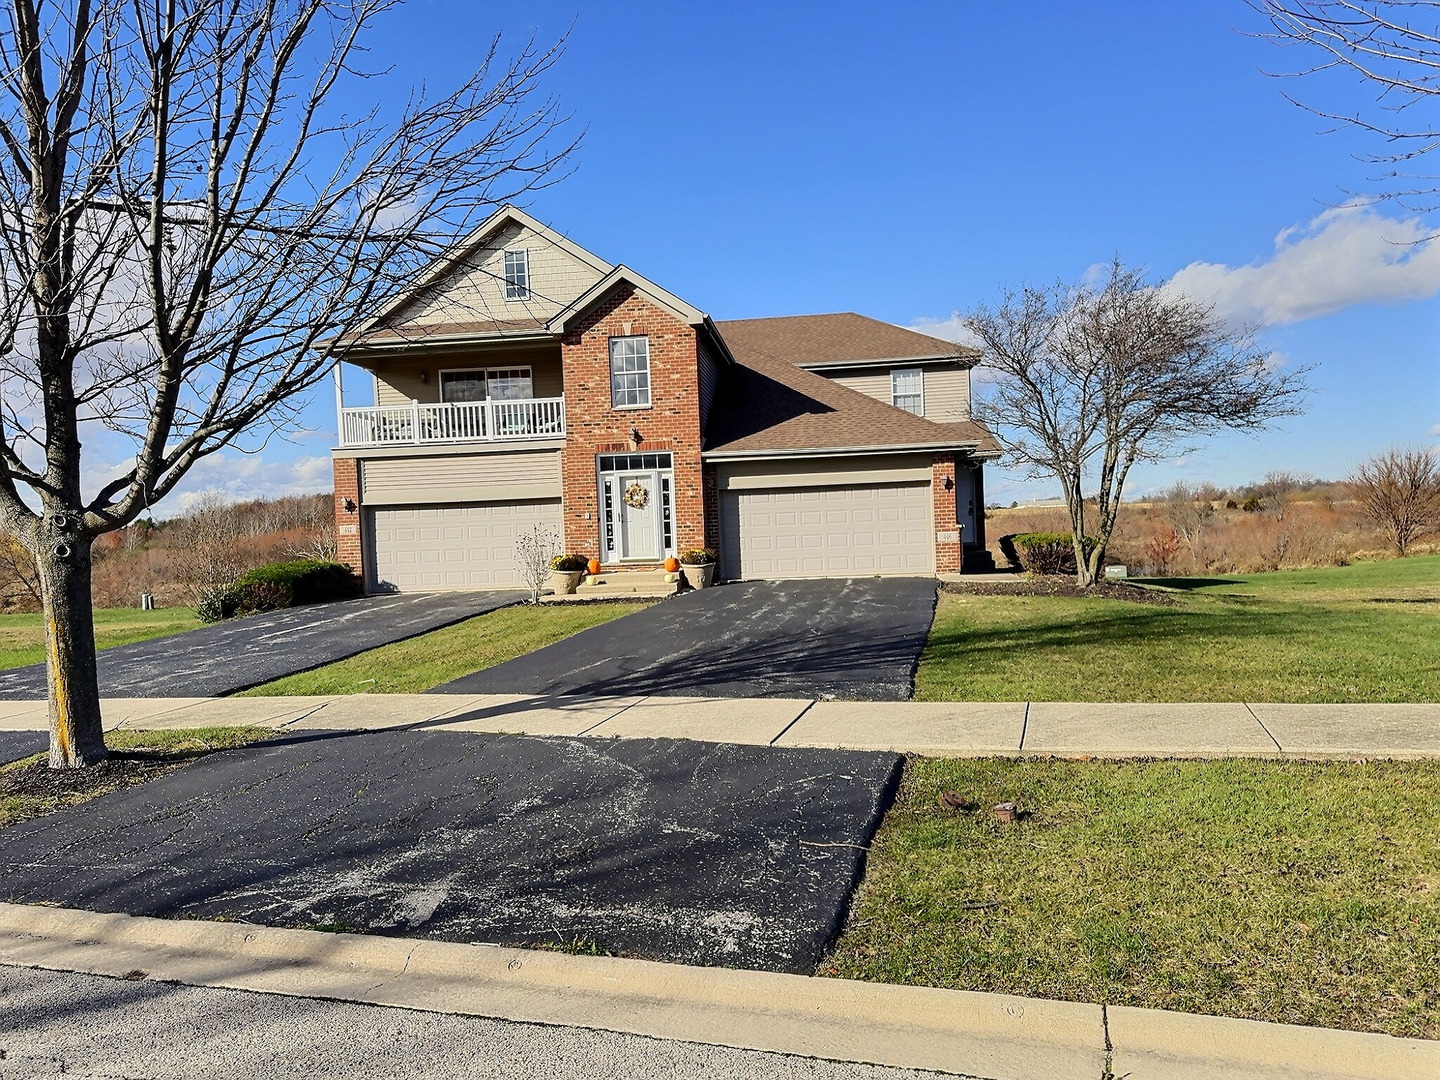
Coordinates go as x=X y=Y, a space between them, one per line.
x=418 y=549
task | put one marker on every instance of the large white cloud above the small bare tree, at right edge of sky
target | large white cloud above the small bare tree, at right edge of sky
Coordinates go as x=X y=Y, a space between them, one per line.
x=1347 y=256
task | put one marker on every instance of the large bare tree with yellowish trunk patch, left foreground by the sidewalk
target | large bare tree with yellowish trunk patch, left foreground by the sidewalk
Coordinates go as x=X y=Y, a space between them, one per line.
x=189 y=224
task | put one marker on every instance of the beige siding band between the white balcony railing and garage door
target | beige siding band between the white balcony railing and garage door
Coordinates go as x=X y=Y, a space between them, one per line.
x=462 y=479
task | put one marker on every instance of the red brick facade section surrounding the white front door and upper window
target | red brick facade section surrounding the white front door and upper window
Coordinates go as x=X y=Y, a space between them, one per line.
x=672 y=423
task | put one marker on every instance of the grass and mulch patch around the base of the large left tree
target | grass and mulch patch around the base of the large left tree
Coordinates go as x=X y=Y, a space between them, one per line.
x=30 y=788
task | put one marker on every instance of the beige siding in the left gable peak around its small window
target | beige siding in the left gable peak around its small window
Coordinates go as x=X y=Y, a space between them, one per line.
x=476 y=290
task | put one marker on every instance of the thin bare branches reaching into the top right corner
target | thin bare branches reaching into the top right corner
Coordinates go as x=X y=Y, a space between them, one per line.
x=1393 y=50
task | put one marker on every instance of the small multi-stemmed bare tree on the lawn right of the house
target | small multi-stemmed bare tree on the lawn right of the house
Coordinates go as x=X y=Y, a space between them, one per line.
x=1094 y=379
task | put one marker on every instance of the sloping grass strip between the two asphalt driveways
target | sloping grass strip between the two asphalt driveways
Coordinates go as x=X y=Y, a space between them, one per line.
x=415 y=666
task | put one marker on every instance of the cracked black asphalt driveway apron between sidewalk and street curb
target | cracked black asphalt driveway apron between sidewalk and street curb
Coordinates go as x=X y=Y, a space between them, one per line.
x=666 y=849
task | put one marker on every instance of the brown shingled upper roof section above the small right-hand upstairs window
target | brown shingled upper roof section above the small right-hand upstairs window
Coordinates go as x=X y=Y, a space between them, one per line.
x=839 y=341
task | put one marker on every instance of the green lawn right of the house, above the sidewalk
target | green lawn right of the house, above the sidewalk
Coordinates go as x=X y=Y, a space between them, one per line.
x=1363 y=633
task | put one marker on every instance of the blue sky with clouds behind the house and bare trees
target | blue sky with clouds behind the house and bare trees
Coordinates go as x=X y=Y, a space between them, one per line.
x=906 y=161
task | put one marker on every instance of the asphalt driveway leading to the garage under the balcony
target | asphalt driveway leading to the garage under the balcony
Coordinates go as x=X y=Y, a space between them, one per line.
x=238 y=654
